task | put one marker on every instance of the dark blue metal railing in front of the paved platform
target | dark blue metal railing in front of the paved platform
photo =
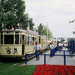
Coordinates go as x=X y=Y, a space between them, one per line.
x=64 y=55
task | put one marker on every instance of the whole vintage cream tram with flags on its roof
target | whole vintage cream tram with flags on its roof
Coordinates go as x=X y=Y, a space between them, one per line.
x=15 y=42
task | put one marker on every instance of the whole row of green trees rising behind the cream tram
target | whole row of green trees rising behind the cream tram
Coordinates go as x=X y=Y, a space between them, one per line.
x=13 y=12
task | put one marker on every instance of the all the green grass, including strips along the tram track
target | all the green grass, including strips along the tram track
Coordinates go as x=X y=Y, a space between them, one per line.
x=7 y=68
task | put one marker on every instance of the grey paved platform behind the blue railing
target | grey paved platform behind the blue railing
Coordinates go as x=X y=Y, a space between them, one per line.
x=55 y=60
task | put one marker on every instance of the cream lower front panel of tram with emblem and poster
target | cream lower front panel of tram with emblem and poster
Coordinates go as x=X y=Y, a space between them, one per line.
x=11 y=51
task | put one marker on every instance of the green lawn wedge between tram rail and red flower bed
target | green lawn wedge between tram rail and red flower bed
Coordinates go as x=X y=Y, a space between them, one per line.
x=18 y=70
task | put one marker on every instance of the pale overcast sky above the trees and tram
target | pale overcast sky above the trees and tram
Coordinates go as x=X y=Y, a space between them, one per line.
x=54 y=13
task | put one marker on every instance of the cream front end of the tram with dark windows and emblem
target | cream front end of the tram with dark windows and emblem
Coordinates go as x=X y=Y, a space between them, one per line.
x=11 y=43
